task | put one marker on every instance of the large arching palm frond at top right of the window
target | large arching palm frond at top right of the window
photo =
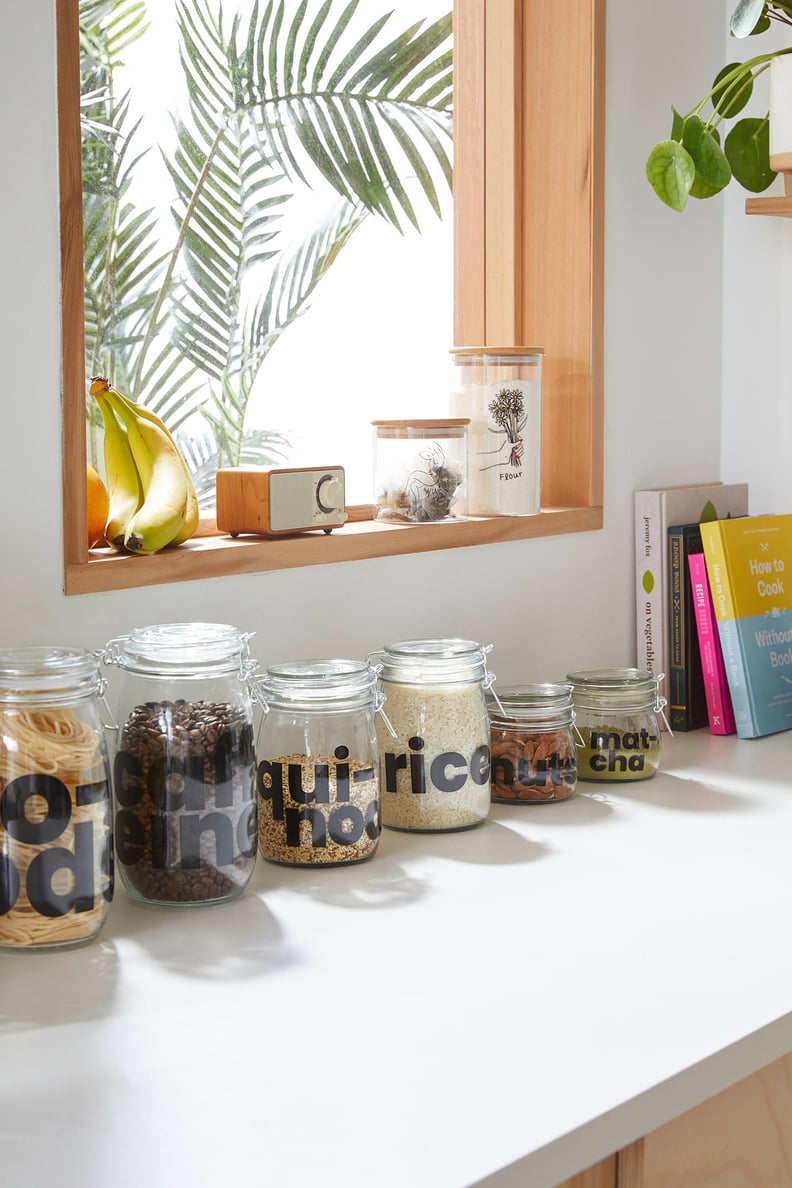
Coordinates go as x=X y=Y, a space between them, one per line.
x=372 y=110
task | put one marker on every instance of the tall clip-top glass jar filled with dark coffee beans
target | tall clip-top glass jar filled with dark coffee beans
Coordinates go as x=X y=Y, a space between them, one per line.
x=185 y=767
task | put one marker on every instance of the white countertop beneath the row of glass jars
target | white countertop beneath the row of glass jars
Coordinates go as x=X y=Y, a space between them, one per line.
x=502 y=1007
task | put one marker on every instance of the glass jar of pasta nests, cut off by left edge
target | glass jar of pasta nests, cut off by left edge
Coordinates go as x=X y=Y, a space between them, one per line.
x=56 y=854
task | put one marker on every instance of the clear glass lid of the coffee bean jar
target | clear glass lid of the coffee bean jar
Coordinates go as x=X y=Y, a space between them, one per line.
x=183 y=649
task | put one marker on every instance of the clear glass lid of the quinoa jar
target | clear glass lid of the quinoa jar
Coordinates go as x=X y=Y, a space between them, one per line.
x=318 y=685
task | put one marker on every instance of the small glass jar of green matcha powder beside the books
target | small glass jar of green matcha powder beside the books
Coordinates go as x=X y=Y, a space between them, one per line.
x=617 y=723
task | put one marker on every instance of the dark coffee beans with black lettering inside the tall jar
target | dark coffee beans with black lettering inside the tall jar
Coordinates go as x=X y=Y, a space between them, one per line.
x=185 y=785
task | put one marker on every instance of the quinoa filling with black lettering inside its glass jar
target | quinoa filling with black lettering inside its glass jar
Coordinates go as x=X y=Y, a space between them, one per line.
x=321 y=808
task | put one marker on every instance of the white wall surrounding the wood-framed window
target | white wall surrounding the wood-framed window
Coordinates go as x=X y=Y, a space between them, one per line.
x=546 y=605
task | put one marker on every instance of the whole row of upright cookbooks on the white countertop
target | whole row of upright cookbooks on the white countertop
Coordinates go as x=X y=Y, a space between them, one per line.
x=714 y=608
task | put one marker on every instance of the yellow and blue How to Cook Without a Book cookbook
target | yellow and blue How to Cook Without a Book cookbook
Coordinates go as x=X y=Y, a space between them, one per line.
x=750 y=571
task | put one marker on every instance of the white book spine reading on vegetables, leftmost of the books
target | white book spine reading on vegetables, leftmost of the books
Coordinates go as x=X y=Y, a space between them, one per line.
x=651 y=644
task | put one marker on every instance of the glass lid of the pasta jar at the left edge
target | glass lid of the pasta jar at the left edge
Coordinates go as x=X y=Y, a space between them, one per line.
x=48 y=677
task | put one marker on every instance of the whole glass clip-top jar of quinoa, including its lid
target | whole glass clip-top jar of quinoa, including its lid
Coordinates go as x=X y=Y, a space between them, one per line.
x=318 y=780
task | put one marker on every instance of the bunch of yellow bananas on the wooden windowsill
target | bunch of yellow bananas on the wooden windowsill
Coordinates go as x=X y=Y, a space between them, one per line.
x=151 y=494
